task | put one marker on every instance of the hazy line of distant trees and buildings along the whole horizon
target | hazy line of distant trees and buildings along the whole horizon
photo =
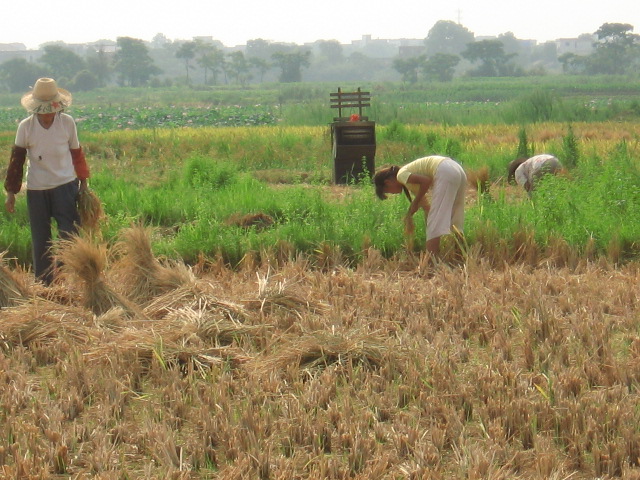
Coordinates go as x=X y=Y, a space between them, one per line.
x=449 y=49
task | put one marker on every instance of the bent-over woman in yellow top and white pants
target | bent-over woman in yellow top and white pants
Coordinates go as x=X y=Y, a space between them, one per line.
x=448 y=182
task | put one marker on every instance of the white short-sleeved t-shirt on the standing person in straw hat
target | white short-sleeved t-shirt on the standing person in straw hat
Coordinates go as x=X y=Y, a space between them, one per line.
x=49 y=158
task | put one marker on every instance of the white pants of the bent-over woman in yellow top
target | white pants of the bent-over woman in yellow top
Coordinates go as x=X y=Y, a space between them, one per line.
x=447 y=199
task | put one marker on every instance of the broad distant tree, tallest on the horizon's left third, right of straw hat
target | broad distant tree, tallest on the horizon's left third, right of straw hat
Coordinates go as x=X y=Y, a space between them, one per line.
x=133 y=64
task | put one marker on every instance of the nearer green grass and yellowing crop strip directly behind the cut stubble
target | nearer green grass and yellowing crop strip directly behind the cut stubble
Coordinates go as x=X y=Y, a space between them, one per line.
x=195 y=185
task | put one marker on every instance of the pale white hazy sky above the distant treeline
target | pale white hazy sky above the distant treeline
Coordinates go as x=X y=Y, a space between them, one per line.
x=233 y=22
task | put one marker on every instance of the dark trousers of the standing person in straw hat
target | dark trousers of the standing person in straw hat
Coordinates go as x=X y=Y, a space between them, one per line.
x=60 y=204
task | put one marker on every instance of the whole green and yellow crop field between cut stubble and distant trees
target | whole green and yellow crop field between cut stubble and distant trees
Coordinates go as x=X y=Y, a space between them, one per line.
x=195 y=166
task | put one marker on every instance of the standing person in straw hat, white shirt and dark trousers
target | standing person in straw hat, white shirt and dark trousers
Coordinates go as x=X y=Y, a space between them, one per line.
x=57 y=170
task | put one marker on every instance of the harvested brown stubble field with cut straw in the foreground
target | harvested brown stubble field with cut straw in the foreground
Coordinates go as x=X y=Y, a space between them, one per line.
x=389 y=370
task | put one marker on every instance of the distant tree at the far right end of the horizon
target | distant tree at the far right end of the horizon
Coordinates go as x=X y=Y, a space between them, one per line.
x=615 y=50
